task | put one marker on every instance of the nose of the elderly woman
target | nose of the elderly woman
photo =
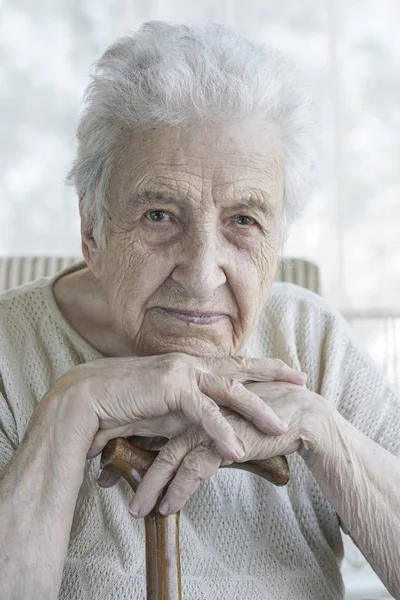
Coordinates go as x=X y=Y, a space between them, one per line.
x=200 y=271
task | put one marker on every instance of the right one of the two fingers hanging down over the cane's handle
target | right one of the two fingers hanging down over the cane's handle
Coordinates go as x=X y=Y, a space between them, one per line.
x=200 y=464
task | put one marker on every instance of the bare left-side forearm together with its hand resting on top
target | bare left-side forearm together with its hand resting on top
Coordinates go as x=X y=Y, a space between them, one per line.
x=89 y=405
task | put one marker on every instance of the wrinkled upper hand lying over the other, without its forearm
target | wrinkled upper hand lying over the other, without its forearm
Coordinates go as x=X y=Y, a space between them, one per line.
x=122 y=397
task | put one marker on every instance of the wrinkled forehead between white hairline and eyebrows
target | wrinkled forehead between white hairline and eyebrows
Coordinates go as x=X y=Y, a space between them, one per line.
x=216 y=175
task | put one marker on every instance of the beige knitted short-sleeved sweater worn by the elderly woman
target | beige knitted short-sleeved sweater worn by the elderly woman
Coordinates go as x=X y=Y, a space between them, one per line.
x=241 y=537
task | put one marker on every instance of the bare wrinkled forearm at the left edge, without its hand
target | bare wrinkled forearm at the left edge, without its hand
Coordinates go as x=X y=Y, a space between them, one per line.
x=38 y=492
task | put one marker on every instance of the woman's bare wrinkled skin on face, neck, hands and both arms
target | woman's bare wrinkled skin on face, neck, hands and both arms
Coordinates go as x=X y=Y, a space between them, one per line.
x=201 y=251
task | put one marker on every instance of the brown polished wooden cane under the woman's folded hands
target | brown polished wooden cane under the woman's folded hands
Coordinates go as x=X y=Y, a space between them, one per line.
x=163 y=573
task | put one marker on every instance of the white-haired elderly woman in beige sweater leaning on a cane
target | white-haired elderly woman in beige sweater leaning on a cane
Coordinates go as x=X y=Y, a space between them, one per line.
x=194 y=157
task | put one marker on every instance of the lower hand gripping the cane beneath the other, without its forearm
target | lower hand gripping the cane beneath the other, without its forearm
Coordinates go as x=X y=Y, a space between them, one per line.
x=190 y=458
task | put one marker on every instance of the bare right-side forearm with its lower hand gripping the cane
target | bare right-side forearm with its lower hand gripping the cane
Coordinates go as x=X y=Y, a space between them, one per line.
x=357 y=476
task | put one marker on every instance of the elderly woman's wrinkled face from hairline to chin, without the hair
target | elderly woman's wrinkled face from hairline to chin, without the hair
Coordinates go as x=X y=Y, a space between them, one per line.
x=194 y=232
